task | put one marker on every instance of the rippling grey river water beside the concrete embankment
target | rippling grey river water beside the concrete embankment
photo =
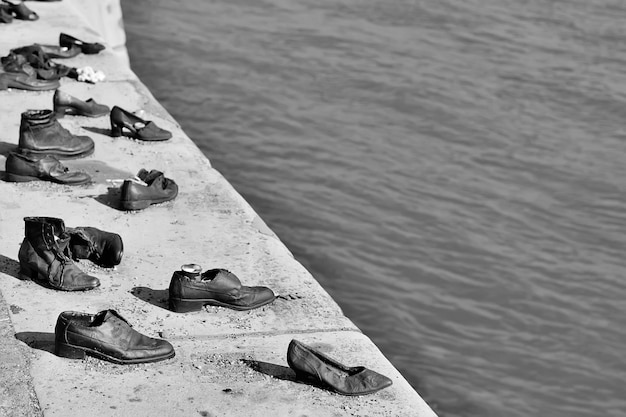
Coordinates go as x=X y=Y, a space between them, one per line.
x=453 y=172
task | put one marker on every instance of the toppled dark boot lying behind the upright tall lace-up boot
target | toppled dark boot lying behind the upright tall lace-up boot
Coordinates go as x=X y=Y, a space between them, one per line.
x=100 y=247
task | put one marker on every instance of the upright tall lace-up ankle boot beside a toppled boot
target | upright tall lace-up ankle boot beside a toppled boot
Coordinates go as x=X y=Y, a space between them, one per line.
x=44 y=256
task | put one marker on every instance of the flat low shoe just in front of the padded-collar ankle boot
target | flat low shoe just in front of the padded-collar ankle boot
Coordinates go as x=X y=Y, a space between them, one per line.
x=23 y=168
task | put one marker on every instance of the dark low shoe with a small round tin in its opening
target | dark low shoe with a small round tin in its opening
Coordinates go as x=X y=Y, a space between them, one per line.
x=216 y=287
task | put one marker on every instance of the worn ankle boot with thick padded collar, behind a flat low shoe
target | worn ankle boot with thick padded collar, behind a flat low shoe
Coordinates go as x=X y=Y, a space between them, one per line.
x=41 y=134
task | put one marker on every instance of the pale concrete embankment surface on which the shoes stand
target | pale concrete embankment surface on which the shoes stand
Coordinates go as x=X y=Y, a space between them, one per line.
x=227 y=363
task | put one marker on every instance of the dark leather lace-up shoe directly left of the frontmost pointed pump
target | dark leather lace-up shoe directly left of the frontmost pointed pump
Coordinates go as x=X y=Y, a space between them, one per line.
x=106 y=335
